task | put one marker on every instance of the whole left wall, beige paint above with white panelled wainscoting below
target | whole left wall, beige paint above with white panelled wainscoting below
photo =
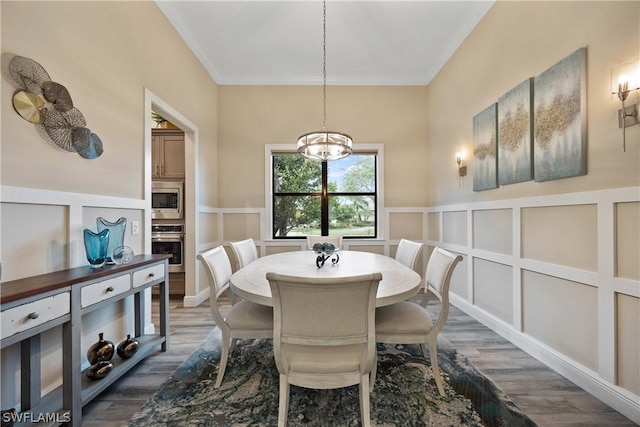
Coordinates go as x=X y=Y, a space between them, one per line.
x=105 y=54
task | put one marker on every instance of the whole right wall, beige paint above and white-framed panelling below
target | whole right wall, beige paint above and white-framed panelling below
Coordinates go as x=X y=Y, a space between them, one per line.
x=549 y=264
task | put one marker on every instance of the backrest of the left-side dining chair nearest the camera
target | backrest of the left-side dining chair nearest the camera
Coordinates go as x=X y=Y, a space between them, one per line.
x=218 y=267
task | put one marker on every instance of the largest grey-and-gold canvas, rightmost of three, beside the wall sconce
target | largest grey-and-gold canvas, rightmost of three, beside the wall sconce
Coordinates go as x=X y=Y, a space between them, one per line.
x=560 y=119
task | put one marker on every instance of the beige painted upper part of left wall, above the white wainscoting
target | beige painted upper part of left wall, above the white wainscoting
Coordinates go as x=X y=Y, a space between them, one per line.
x=105 y=67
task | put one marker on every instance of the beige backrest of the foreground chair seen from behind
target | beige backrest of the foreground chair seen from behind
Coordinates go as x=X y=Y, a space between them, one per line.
x=323 y=312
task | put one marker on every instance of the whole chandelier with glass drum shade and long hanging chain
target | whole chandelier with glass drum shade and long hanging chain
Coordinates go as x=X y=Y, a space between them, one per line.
x=324 y=145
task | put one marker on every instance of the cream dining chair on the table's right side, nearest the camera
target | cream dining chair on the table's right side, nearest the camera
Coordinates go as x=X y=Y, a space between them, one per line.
x=409 y=323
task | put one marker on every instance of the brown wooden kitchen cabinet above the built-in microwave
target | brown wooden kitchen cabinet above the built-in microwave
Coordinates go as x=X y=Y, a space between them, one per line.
x=167 y=153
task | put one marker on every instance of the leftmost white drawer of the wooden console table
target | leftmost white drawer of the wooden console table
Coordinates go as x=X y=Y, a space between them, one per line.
x=27 y=316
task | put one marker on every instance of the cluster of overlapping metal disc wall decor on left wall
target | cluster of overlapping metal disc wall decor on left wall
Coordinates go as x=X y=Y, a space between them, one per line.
x=42 y=101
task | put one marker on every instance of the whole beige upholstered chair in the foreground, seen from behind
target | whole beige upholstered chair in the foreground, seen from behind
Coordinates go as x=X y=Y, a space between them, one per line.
x=324 y=335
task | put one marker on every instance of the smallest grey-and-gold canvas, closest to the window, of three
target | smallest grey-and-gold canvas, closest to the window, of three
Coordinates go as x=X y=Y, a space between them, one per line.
x=485 y=153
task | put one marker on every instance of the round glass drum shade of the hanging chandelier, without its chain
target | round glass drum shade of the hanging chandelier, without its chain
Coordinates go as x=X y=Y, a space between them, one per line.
x=325 y=145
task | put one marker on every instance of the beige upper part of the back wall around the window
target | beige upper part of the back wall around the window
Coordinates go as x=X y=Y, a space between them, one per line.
x=252 y=116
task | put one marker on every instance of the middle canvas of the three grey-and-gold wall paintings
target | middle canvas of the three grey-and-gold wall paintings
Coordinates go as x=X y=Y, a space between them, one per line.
x=515 y=159
